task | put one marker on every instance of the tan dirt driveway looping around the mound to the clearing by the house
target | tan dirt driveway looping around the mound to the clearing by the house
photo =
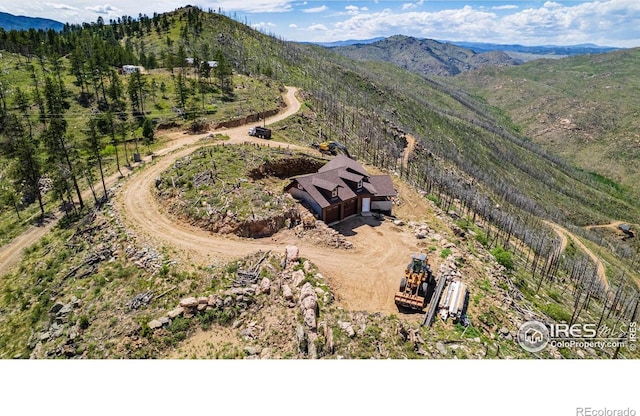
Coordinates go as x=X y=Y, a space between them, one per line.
x=364 y=278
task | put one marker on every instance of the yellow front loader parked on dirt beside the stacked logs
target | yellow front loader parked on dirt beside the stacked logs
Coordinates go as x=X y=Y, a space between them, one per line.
x=416 y=287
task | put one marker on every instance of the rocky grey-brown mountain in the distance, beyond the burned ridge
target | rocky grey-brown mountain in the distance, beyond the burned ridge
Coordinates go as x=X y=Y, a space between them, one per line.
x=425 y=56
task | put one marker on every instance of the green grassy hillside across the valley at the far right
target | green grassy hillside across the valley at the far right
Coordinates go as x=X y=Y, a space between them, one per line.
x=583 y=108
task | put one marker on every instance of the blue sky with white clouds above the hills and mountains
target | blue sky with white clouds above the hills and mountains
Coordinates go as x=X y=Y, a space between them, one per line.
x=528 y=22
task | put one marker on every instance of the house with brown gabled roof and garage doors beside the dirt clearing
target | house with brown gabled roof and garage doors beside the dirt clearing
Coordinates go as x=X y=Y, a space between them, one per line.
x=343 y=188
